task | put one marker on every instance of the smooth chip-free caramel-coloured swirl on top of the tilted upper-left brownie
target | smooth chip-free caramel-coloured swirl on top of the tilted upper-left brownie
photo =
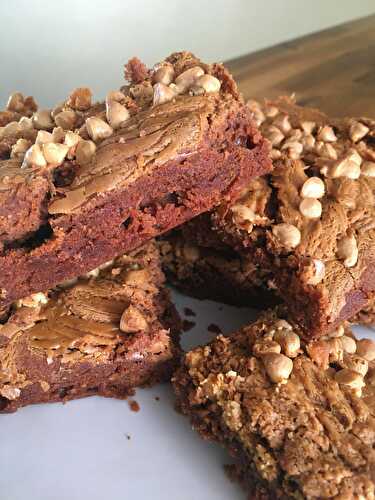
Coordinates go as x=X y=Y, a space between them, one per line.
x=149 y=139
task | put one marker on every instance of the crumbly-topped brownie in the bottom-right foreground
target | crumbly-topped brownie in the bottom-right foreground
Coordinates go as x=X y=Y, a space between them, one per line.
x=298 y=417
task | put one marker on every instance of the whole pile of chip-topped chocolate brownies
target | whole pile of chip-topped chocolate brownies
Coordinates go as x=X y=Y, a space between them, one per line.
x=258 y=204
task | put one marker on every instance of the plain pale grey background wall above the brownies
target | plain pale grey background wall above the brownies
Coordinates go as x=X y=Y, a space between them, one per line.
x=47 y=48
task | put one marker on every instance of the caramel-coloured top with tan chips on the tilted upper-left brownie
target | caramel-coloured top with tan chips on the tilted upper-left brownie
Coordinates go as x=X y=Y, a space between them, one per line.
x=165 y=113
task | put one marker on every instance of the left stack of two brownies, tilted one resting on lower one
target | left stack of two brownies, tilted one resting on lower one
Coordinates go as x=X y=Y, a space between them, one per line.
x=84 y=189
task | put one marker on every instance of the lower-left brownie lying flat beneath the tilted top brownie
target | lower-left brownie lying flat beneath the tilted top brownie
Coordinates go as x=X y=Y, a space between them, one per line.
x=102 y=334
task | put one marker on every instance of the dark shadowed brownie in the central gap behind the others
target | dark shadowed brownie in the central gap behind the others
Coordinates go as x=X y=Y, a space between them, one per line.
x=215 y=272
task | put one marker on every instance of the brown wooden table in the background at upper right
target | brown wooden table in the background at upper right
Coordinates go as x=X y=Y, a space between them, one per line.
x=333 y=70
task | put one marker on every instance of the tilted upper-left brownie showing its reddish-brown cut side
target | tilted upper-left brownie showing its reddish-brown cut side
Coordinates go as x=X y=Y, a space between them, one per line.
x=84 y=182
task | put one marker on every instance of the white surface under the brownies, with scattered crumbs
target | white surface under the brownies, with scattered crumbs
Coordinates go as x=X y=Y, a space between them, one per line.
x=80 y=450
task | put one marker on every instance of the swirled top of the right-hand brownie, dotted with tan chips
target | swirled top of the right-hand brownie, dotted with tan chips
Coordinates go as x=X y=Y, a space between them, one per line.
x=317 y=206
